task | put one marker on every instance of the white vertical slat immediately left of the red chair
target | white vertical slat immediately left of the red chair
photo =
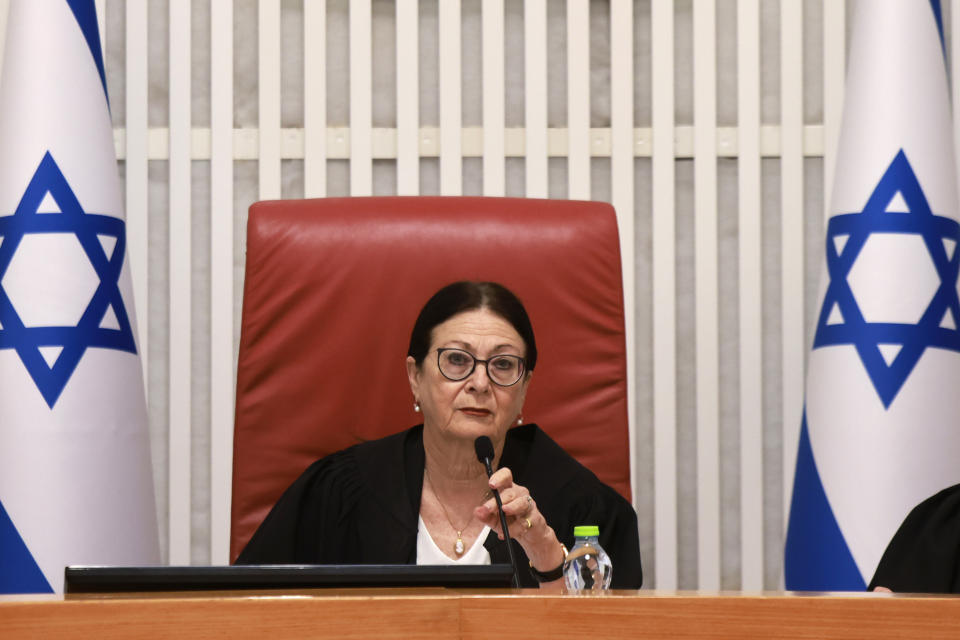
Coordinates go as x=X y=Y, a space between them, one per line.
x=222 y=373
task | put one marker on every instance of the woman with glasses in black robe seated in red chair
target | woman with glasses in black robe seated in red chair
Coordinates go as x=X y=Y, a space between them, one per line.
x=400 y=499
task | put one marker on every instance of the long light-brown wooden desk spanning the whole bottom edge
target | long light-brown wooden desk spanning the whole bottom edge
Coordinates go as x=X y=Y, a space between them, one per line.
x=444 y=613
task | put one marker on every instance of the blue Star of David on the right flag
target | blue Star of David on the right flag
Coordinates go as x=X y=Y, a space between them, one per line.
x=867 y=337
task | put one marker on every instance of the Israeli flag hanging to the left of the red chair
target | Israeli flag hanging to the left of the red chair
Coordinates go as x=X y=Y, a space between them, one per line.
x=76 y=483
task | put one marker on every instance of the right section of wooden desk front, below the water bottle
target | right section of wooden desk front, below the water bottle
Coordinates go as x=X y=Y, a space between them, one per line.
x=692 y=615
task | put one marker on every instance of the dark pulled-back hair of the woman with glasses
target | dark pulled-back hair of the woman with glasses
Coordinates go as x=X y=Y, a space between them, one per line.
x=468 y=295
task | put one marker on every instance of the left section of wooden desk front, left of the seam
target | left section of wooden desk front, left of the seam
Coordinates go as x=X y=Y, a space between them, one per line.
x=385 y=616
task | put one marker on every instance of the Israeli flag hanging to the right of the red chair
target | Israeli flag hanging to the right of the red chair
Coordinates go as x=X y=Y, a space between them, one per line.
x=881 y=429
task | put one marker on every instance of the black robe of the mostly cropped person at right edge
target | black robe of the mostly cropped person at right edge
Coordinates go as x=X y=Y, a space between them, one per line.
x=924 y=554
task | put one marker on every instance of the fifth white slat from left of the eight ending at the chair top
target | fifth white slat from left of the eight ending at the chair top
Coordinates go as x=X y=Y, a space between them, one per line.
x=451 y=158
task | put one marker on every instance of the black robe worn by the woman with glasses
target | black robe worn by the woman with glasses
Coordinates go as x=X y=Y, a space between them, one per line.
x=361 y=505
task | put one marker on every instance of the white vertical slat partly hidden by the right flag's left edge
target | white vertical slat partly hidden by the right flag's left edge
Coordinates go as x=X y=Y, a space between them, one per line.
x=834 y=63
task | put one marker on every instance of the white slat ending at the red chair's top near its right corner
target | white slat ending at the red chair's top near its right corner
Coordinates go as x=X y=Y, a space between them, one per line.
x=578 y=99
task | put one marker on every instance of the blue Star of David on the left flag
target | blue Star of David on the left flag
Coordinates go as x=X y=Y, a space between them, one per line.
x=74 y=340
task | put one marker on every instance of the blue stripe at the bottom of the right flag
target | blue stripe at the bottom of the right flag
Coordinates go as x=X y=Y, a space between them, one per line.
x=817 y=557
